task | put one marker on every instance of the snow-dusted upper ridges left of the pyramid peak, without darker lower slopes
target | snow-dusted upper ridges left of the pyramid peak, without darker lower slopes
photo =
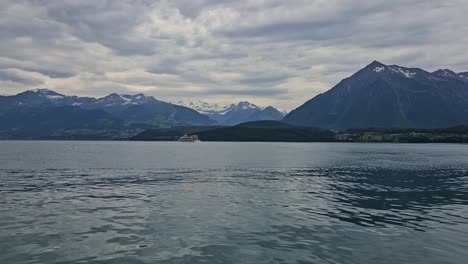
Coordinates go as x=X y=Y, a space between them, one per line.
x=140 y=108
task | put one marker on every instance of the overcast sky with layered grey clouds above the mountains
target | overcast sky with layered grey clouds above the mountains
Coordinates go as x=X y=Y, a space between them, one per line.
x=269 y=52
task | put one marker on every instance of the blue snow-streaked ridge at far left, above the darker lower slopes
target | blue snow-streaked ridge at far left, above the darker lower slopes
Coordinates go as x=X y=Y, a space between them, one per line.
x=132 y=108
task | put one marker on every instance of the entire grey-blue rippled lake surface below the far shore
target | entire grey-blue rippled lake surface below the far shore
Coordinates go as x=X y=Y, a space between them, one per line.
x=145 y=202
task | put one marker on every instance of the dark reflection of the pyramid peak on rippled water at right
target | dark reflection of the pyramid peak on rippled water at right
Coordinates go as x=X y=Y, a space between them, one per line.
x=380 y=197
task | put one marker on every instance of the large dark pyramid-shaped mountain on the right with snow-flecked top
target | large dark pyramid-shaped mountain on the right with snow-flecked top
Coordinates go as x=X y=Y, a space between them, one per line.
x=389 y=96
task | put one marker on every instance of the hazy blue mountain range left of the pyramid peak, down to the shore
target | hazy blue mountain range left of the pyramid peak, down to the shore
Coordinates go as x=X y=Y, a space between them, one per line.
x=42 y=112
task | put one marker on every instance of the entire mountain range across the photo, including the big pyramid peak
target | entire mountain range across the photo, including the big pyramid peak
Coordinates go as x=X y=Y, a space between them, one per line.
x=377 y=96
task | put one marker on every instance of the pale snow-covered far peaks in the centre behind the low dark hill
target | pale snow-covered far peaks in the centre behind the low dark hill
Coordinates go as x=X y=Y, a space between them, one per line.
x=234 y=114
